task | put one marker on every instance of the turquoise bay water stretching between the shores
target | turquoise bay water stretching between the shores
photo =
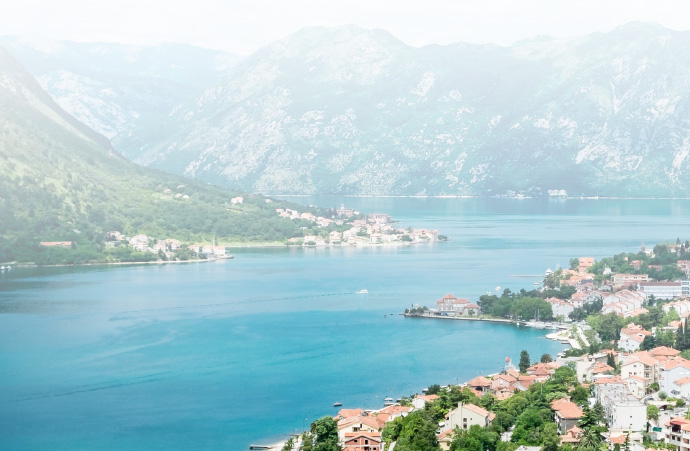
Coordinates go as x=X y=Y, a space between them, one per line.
x=224 y=354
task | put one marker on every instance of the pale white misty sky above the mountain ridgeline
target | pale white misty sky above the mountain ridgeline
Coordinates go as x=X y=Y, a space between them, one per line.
x=243 y=26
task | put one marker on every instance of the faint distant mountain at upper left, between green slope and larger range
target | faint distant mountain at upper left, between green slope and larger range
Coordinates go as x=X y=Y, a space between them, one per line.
x=120 y=91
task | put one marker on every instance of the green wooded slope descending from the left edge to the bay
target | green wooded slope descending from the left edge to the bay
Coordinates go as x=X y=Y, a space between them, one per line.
x=60 y=181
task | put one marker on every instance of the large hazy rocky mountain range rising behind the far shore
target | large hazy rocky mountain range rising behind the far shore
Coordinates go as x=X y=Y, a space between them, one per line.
x=346 y=110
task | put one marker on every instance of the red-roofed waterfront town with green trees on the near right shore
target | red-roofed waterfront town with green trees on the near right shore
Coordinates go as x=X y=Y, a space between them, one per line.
x=623 y=383
